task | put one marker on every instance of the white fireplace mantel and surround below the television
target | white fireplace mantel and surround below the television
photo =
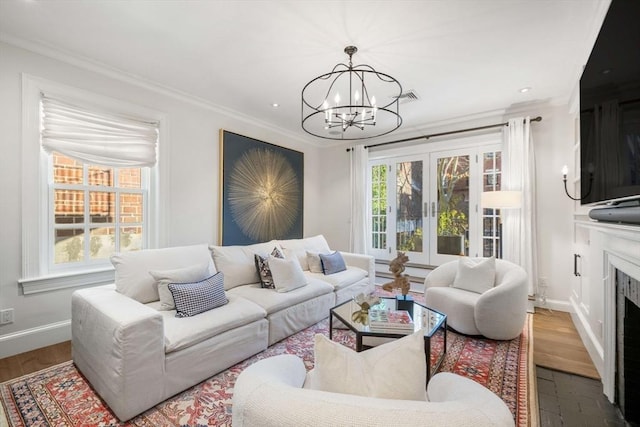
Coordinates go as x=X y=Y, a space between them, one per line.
x=608 y=272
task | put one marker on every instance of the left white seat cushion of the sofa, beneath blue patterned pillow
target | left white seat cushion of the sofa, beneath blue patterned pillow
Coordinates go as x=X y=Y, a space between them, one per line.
x=180 y=333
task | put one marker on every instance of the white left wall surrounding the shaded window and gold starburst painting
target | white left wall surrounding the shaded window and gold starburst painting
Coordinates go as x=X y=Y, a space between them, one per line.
x=190 y=194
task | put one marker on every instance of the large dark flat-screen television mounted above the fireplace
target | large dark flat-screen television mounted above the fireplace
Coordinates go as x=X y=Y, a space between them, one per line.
x=610 y=110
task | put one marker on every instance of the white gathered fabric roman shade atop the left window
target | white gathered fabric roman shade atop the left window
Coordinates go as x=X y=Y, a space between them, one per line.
x=97 y=137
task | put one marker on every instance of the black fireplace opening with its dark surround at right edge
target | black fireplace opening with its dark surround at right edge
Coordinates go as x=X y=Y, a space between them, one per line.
x=628 y=345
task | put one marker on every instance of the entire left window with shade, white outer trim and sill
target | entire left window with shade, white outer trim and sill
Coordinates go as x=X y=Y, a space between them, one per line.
x=89 y=184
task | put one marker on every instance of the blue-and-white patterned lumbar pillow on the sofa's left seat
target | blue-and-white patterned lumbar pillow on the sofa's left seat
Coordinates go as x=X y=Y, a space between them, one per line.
x=198 y=297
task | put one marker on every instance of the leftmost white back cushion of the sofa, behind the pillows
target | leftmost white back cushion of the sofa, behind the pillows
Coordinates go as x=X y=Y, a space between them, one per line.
x=132 y=268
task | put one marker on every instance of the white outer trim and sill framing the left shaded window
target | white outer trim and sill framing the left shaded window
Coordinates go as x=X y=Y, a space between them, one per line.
x=37 y=274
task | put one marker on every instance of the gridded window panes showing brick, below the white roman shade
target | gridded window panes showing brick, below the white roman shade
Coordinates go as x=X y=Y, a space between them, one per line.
x=94 y=211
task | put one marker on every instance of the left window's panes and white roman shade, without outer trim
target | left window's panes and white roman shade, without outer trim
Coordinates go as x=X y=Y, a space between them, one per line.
x=97 y=186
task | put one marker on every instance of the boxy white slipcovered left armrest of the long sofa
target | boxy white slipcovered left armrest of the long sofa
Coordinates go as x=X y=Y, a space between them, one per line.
x=118 y=344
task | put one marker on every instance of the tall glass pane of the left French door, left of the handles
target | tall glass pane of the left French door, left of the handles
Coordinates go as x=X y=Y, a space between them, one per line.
x=409 y=206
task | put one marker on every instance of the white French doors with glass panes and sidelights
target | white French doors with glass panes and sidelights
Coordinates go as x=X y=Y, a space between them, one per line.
x=427 y=204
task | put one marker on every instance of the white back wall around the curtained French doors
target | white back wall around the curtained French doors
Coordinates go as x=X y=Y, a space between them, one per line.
x=552 y=138
